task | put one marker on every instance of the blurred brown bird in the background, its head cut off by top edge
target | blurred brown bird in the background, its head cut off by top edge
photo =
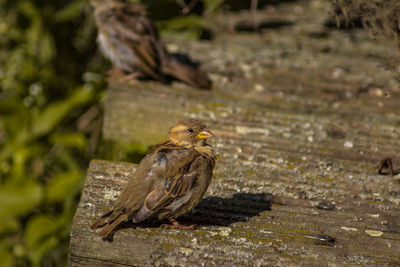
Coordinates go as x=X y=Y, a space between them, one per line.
x=130 y=40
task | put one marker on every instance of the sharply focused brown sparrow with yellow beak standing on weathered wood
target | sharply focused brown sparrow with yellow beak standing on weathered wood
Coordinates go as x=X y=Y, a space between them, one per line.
x=169 y=181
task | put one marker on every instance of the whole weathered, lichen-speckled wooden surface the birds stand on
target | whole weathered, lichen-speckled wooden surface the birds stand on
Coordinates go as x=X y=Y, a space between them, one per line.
x=302 y=113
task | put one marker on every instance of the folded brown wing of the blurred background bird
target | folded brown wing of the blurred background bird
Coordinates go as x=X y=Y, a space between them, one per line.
x=137 y=31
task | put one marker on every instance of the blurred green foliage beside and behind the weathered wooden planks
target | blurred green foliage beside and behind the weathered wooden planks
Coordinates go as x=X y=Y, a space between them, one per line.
x=52 y=85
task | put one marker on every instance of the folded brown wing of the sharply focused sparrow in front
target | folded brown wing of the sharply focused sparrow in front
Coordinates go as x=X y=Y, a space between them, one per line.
x=176 y=180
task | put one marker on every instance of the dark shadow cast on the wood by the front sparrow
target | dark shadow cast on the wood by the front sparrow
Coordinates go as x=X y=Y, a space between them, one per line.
x=215 y=211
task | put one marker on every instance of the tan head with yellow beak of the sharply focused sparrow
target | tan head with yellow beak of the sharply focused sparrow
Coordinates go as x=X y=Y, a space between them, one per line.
x=189 y=133
